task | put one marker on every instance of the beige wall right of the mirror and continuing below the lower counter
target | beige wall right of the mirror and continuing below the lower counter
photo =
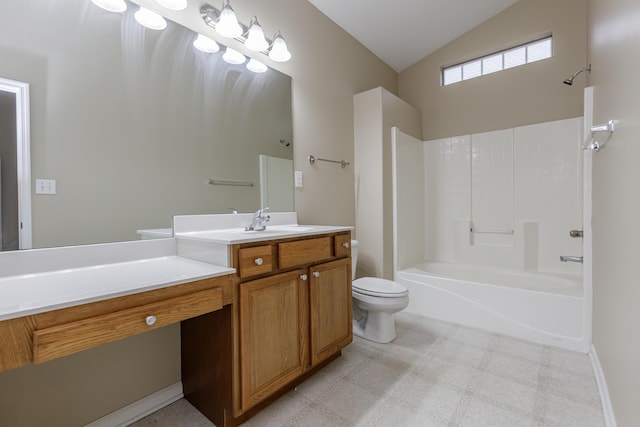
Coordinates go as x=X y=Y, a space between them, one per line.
x=328 y=67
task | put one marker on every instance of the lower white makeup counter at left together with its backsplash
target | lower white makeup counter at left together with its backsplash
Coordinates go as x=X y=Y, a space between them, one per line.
x=24 y=292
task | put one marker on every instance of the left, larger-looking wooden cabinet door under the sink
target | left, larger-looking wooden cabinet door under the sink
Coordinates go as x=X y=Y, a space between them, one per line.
x=274 y=328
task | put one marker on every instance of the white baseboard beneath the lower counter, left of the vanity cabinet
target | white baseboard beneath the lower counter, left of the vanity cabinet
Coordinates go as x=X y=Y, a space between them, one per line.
x=141 y=408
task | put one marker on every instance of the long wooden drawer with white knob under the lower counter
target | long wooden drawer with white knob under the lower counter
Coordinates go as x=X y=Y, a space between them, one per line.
x=56 y=341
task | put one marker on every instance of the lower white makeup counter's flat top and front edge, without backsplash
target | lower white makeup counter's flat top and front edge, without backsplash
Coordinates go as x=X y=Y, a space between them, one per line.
x=15 y=302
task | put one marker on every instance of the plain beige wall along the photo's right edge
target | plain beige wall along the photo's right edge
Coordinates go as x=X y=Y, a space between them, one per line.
x=614 y=39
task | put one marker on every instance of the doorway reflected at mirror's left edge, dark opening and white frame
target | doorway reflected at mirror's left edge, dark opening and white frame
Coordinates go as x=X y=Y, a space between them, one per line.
x=15 y=166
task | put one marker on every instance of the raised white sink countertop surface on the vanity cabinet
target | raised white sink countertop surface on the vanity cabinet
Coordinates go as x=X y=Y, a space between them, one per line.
x=239 y=235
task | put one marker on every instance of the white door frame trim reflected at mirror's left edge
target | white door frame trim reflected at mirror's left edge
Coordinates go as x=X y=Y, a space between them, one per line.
x=23 y=145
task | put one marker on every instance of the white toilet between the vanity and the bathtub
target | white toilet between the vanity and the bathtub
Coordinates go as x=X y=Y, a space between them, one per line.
x=374 y=302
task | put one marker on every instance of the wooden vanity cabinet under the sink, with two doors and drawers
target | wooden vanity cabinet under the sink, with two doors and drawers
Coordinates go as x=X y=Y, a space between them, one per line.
x=292 y=316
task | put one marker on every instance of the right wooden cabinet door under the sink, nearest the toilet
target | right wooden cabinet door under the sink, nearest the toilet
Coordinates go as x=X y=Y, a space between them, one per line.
x=330 y=308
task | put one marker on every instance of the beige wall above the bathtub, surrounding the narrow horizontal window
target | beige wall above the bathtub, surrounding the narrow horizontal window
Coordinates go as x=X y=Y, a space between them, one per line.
x=529 y=94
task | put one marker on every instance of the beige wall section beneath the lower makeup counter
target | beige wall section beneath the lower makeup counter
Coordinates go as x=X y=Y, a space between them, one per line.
x=77 y=389
